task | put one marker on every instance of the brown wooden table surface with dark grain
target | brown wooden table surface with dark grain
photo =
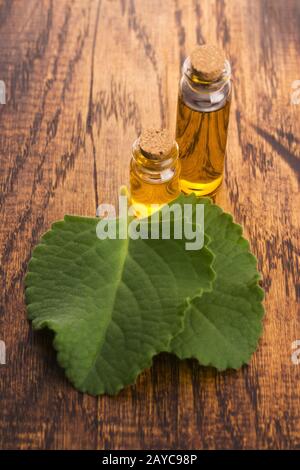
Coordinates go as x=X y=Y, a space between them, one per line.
x=82 y=78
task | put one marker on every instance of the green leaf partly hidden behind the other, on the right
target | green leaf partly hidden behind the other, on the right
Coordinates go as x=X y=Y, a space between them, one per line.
x=222 y=327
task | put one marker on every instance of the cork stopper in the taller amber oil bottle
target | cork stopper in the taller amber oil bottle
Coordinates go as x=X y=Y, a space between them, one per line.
x=208 y=61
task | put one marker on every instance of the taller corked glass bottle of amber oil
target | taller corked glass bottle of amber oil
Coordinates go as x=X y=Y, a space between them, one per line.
x=202 y=119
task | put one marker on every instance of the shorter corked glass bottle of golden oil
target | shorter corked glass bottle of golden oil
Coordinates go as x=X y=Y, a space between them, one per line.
x=154 y=170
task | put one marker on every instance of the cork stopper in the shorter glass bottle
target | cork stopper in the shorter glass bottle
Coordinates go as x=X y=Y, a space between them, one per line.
x=157 y=142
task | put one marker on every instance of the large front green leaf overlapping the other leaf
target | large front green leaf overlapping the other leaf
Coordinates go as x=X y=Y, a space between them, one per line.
x=112 y=304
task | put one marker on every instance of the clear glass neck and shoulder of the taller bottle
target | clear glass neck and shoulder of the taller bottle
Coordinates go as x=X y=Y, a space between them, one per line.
x=202 y=95
